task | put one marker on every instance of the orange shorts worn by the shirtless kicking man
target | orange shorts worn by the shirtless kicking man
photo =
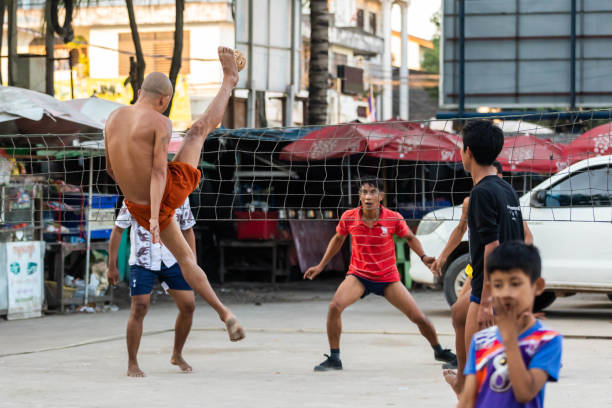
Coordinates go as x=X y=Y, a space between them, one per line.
x=181 y=180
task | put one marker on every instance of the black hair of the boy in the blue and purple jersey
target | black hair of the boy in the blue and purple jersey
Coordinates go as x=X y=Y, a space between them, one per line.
x=516 y=255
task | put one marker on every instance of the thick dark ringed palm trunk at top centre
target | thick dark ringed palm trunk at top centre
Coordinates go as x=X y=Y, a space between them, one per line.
x=318 y=67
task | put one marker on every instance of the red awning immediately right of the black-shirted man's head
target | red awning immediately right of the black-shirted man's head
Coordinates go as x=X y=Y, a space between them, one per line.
x=531 y=154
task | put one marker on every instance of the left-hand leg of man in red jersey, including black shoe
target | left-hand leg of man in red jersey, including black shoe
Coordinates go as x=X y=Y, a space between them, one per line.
x=349 y=291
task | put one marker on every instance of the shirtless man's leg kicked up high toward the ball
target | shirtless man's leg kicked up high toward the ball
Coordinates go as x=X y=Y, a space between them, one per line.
x=191 y=149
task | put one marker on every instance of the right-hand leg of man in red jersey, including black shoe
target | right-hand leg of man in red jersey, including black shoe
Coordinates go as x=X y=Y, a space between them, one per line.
x=397 y=294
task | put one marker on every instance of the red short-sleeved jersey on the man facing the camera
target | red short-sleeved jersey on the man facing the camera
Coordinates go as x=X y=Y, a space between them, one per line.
x=373 y=256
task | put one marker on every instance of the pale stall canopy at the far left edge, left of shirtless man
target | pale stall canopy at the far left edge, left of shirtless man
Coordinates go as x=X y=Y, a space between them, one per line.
x=29 y=112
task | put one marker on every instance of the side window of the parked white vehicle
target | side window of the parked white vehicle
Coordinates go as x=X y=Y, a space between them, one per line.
x=592 y=187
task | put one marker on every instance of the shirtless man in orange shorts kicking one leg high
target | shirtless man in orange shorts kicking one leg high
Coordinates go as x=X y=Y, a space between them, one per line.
x=136 y=140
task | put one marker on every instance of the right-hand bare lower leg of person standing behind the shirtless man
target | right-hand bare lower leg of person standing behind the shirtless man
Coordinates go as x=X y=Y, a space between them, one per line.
x=185 y=302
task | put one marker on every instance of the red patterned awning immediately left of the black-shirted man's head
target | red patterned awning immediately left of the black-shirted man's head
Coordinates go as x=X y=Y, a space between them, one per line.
x=415 y=143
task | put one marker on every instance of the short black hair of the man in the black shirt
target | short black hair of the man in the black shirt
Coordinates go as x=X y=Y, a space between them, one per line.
x=484 y=139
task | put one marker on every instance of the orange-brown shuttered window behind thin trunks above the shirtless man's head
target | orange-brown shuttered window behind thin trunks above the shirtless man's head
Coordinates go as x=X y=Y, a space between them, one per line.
x=153 y=43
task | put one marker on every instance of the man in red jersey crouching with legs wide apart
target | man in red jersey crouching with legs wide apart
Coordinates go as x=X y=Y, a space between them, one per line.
x=372 y=269
